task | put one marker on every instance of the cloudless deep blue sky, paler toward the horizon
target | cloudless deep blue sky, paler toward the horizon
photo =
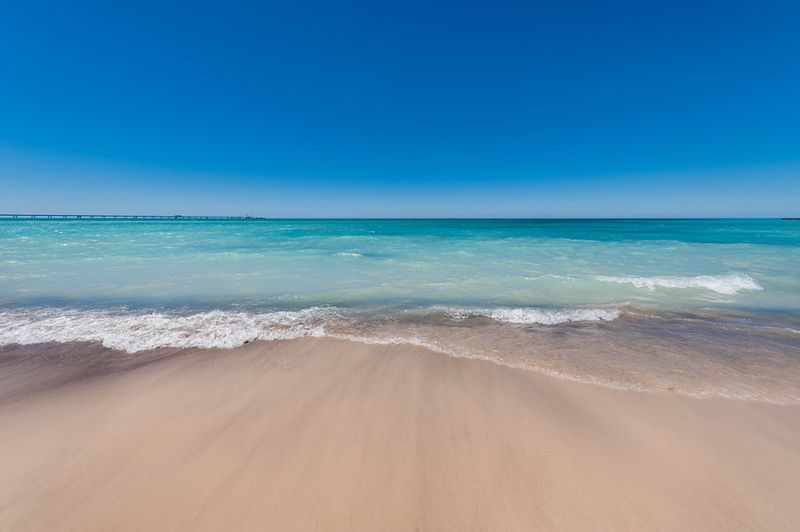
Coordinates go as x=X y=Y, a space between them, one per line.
x=310 y=108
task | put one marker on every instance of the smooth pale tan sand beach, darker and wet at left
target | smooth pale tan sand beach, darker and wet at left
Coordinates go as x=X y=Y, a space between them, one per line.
x=320 y=434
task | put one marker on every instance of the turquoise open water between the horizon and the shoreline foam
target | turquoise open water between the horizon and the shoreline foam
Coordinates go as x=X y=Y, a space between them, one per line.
x=289 y=264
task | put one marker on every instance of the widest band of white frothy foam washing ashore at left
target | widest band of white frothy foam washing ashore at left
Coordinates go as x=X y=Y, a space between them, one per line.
x=134 y=332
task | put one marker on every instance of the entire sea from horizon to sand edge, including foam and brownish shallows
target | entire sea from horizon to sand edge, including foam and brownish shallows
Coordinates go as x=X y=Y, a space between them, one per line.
x=698 y=307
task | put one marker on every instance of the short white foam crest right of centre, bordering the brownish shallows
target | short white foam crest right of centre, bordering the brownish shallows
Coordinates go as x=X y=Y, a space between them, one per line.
x=541 y=316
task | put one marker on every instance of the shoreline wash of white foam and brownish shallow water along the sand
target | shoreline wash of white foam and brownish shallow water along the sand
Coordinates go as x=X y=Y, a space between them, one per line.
x=617 y=347
